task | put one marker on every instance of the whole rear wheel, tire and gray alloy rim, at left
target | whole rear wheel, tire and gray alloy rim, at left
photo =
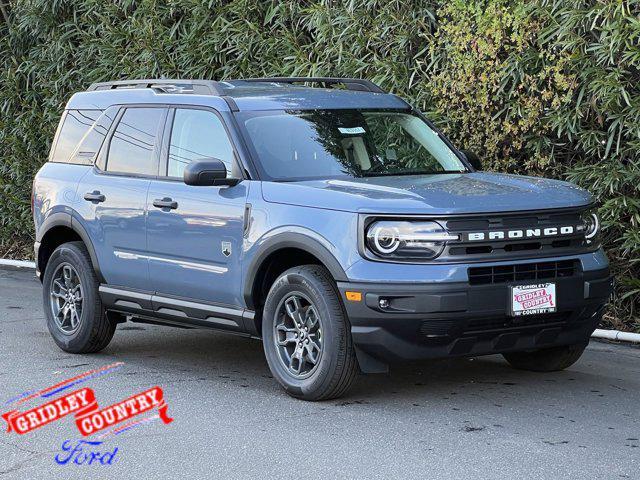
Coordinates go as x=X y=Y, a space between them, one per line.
x=75 y=316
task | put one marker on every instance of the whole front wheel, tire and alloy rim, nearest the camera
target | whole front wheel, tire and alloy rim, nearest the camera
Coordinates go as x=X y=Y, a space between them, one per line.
x=306 y=335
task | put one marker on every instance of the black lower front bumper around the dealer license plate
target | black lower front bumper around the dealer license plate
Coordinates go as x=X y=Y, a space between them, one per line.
x=432 y=320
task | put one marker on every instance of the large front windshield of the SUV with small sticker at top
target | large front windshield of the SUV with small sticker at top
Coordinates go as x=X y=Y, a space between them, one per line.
x=298 y=145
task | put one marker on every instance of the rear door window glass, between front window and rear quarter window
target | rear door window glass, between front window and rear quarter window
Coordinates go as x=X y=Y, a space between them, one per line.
x=132 y=148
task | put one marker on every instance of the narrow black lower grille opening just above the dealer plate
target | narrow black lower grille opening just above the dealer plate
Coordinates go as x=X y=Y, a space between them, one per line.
x=523 y=271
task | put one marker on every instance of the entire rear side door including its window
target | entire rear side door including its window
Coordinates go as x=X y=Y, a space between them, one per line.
x=115 y=192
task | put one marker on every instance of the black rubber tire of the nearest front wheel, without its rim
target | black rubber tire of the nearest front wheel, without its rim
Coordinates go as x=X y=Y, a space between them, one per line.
x=337 y=366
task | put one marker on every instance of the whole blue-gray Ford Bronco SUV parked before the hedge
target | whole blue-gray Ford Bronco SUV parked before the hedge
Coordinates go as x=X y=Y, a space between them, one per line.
x=325 y=216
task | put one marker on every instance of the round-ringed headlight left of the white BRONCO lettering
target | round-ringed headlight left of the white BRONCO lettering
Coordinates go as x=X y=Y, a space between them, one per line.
x=407 y=240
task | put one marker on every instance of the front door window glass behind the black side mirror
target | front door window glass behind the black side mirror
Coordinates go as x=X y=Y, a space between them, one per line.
x=197 y=134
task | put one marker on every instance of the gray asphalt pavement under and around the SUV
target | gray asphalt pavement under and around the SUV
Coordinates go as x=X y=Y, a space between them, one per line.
x=470 y=418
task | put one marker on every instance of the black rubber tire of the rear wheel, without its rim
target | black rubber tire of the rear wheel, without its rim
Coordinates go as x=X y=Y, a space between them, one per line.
x=94 y=330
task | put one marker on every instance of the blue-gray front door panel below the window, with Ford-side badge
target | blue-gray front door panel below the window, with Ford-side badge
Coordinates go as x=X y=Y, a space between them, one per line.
x=185 y=245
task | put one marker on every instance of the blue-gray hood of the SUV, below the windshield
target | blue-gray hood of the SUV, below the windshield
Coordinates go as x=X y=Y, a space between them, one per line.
x=476 y=192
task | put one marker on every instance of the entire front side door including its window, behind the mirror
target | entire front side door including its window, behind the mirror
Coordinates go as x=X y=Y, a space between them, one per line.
x=195 y=244
